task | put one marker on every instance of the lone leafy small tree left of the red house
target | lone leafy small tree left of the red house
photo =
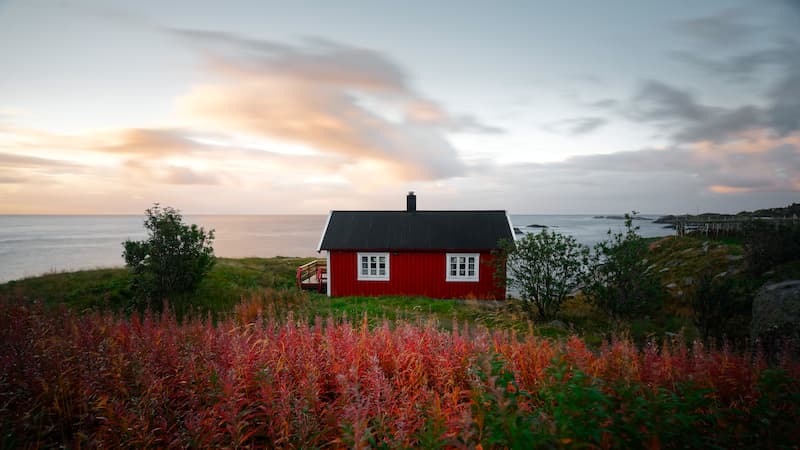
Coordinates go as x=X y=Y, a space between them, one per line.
x=172 y=260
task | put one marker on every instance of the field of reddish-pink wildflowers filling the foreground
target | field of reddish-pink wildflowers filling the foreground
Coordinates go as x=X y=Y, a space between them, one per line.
x=263 y=380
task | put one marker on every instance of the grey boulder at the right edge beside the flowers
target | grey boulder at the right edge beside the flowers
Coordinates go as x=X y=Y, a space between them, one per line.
x=776 y=312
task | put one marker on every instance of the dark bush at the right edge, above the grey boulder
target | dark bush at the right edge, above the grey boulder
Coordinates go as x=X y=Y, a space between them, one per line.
x=770 y=244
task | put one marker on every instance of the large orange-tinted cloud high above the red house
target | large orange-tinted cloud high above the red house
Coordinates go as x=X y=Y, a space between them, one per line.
x=341 y=100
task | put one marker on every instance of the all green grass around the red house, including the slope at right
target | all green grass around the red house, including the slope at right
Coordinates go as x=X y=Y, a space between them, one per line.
x=678 y=261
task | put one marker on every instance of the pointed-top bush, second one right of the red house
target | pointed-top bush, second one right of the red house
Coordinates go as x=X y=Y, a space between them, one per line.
x=620 y=283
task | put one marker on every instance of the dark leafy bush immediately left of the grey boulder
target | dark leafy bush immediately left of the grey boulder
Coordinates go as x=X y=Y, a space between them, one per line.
x=717 y=303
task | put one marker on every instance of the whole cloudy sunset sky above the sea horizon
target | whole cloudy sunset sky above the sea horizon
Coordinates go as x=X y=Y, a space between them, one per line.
x=535 y=107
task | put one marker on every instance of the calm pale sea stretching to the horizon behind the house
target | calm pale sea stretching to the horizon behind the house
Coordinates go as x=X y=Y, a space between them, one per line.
x=32 y=245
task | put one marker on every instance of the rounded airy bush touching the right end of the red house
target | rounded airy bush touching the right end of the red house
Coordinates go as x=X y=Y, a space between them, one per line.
x=544 y=268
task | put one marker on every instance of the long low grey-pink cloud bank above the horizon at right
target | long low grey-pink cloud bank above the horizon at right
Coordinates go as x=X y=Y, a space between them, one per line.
x=742 y=174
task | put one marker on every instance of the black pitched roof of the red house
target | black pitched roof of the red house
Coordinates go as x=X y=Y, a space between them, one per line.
x=415 y=230
